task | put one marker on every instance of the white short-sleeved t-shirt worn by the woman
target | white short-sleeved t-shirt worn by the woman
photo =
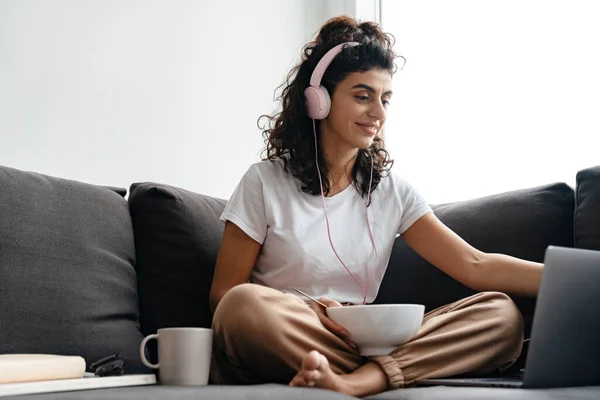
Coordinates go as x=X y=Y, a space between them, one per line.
x=269 y=206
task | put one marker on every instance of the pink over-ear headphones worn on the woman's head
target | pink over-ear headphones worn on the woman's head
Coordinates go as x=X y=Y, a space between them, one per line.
x=317 y=98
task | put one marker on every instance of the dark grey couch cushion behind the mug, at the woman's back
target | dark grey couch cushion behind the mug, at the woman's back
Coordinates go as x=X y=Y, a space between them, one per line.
x=177 y=236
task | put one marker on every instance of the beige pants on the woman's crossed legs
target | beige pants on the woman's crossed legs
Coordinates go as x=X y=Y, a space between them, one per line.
x=262 y=336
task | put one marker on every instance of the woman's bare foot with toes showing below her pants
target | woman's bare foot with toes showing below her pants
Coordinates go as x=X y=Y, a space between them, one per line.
x=316 y=372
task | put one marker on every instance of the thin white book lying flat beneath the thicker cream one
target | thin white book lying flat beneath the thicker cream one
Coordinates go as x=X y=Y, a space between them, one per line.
x=84 y=383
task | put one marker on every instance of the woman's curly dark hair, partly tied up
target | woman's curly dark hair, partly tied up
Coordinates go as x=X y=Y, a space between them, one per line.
x=288 y=135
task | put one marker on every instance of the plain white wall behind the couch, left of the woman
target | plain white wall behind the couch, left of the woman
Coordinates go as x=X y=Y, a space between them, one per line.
x=113 y=92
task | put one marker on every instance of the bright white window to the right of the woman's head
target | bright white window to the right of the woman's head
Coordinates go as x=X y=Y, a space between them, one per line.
x=495 y=95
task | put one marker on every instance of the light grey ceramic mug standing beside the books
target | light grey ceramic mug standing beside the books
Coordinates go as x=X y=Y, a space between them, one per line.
x=183 y=355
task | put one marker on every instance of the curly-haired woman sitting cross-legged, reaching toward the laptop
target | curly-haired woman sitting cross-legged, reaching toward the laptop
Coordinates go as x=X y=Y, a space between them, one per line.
x=320 y=213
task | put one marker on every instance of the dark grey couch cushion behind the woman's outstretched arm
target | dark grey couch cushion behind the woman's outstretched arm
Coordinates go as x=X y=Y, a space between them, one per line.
x=521 y=223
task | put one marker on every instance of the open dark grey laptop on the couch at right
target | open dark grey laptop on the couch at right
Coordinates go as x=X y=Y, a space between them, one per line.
x=564 y=349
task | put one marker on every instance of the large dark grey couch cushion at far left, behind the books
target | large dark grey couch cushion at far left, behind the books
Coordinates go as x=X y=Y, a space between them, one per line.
x=67 y=282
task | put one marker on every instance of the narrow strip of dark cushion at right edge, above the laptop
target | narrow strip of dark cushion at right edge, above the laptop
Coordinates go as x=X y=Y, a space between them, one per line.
x=587 y=209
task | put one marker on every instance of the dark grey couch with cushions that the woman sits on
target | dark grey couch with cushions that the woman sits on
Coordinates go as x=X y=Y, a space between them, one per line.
x=88 y=270
